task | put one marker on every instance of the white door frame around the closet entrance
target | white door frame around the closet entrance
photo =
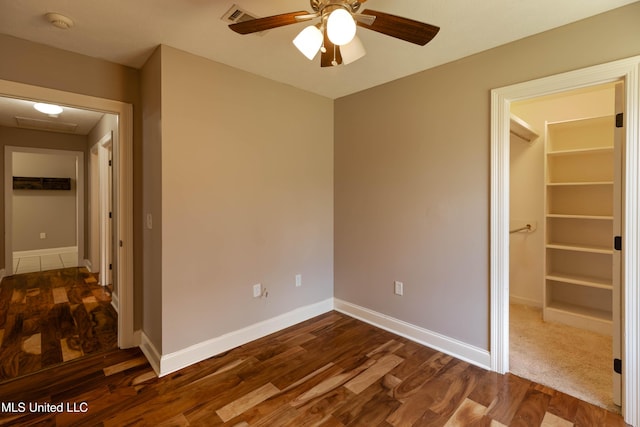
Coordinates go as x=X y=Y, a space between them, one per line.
x=501 y=98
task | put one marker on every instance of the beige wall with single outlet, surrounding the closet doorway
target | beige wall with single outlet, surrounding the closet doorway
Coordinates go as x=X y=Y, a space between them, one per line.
x=412 y=176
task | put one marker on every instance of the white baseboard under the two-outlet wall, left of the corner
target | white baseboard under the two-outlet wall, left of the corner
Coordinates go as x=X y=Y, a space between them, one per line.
x=177 y=360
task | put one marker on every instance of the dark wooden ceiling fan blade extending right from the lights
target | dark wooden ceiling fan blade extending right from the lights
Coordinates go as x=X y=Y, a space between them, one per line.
x=401 y=28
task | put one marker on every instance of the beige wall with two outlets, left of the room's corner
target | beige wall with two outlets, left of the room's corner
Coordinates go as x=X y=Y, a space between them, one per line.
x=247 y=197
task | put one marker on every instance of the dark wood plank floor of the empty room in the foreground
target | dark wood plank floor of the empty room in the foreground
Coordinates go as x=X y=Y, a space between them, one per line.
x=330 y=371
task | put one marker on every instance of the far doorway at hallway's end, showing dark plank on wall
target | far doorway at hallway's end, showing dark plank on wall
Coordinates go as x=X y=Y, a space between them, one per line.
x=44 y=219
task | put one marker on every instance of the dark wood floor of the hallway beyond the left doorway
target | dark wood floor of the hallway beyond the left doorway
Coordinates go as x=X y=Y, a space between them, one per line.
x=51 y=317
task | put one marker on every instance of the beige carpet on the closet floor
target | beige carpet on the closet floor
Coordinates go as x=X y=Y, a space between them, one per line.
x=572 y=360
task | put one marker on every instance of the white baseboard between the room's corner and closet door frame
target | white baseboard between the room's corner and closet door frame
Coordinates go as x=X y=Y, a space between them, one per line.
x=451 y=346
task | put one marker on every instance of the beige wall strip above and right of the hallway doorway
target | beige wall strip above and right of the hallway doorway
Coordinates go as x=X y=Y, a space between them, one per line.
x=40 y=65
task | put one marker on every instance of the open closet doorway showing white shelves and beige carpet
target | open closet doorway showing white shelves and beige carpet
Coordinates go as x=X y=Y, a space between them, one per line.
x=563 y=268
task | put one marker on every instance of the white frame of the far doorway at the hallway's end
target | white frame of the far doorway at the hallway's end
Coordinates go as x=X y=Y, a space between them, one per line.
x=8 y=198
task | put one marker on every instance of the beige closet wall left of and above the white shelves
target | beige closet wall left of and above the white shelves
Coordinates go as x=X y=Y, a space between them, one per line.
x=526 y=251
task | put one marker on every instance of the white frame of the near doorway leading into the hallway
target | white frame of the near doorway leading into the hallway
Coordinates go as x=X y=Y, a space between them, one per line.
x=123 y=188
